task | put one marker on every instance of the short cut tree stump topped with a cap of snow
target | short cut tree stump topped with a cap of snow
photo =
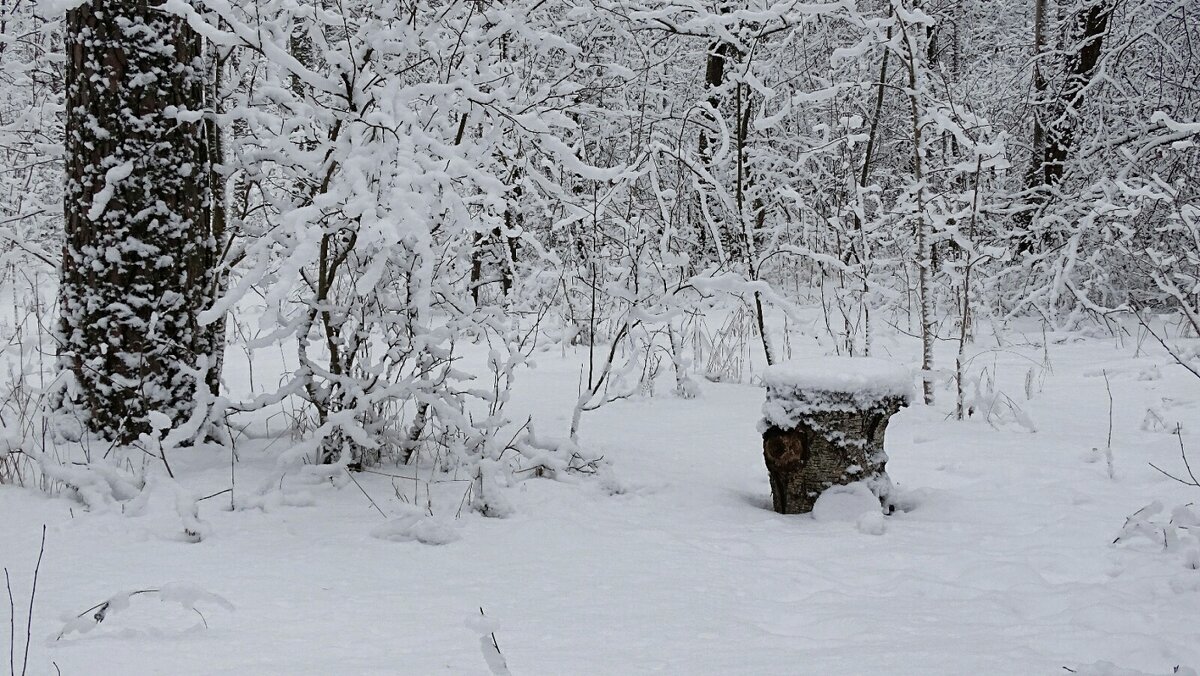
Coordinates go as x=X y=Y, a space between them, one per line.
x=824 y=426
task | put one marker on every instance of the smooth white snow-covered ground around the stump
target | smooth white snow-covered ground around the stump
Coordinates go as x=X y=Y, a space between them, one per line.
x=1004 y=561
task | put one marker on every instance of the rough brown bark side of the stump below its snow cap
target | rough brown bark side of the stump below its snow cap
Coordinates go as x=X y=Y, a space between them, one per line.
x=841 y=441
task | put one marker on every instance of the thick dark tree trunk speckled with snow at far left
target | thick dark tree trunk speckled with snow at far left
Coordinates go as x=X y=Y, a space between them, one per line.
x=139 y=254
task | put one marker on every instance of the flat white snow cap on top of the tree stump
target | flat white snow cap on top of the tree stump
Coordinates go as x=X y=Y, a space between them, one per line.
x=850 y=375
